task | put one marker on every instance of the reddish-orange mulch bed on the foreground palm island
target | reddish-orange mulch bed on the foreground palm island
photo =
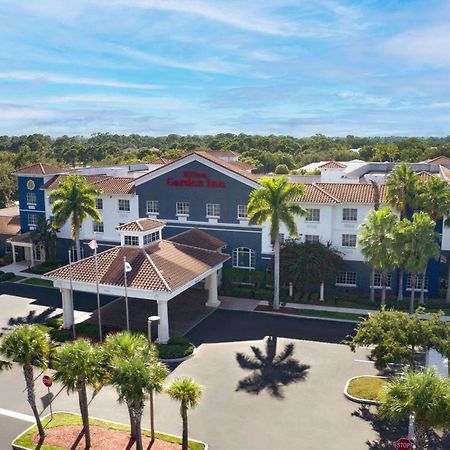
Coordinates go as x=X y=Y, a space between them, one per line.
x=71 y=437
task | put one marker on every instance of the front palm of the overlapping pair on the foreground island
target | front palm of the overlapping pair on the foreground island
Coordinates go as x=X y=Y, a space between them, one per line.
x=131 y=377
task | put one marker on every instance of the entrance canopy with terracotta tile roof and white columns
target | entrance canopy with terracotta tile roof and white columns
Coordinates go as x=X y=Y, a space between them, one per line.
x=159 y=271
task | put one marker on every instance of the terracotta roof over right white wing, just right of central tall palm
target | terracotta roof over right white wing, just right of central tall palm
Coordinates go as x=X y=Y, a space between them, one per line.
x=340 y=193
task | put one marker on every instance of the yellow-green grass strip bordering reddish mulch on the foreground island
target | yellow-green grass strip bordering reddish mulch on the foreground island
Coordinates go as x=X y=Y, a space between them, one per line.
x=61 y=419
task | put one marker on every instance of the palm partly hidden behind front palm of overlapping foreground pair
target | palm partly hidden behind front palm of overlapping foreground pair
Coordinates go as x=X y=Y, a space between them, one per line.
x=122 y=346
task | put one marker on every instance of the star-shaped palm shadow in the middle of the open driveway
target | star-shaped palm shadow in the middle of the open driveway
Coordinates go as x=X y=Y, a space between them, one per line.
x=270 y=371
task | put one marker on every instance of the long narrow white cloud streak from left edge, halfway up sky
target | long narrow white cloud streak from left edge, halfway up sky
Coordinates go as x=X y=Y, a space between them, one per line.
x=46 y=77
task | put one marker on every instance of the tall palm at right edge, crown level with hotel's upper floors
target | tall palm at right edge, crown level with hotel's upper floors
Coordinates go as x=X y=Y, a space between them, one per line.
x=435 y=200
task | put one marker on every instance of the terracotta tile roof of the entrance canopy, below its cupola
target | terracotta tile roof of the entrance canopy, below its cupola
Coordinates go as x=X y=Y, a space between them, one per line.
x=162 y=266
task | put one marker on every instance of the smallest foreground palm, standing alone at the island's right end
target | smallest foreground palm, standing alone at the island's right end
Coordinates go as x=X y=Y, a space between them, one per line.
x=188 y=393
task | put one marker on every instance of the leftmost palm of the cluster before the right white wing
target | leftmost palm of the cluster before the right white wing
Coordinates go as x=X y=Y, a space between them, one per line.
x=376 y=241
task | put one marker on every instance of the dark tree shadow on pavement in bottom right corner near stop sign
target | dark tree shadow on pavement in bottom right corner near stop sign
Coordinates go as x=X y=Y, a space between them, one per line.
x=389 y=432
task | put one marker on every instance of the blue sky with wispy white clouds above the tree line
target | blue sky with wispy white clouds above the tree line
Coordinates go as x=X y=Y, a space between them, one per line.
x=194 y=67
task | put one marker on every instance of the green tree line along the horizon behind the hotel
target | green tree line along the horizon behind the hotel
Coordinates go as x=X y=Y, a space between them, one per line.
x=264 y=152
